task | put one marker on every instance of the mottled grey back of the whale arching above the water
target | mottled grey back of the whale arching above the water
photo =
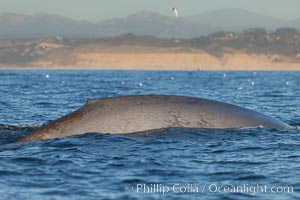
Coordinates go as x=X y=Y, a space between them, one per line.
x=121 y=115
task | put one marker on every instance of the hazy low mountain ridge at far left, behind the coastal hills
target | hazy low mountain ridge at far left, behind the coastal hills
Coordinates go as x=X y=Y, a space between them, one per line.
x=42 y=25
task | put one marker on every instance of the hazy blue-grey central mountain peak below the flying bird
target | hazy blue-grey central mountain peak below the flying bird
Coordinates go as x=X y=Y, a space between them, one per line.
x=151 y=23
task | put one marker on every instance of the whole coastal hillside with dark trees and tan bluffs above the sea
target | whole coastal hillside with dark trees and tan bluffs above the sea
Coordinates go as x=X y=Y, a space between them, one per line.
x=251 y=49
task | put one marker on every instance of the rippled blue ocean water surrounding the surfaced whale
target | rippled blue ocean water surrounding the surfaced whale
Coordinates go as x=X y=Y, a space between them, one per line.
x=180 y=163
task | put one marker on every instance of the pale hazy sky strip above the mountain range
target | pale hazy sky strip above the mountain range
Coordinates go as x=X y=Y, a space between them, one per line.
x=97 y=10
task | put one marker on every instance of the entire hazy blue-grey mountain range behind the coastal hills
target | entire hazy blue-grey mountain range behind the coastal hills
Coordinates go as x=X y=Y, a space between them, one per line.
x=142 y=23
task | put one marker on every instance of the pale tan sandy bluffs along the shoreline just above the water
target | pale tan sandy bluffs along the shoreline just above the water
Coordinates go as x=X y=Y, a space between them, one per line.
x=165 y=61
